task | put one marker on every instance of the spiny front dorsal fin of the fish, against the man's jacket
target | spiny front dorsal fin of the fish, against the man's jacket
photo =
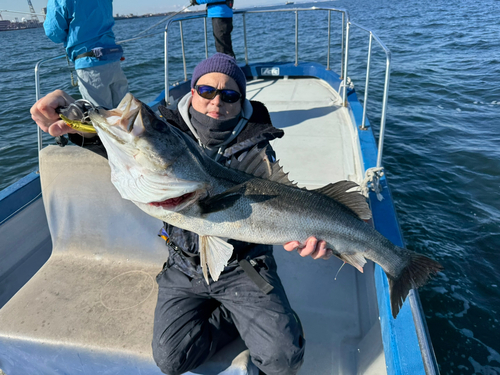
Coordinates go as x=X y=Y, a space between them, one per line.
x=256 y=163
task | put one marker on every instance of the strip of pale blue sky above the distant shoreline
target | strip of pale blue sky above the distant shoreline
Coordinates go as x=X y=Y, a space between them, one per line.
x=121 y=6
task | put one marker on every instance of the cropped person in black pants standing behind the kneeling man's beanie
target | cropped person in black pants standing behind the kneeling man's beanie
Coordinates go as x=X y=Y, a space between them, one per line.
x=221 y=13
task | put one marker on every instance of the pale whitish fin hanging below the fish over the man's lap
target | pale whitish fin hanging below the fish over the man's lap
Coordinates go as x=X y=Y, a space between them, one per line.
x=214 y=253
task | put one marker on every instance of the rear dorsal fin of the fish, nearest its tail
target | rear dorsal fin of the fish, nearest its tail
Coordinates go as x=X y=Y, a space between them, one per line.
x=353 y=200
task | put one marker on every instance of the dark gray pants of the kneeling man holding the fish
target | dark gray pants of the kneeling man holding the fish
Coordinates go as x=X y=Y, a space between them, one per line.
x=194 y=320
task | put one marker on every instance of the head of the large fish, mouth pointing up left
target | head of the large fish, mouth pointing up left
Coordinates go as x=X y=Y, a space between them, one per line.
x=152 y=163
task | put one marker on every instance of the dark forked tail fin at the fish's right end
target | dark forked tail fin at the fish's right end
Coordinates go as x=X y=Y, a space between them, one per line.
x=414 y=275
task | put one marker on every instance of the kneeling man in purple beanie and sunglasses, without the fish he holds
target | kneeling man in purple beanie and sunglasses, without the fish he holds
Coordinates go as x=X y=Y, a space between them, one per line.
x=193 y=319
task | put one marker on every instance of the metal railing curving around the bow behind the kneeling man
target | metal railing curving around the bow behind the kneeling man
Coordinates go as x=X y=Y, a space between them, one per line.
x=344 y=56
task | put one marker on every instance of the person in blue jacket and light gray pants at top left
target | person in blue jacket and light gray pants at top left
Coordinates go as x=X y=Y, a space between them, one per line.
x=85 y=28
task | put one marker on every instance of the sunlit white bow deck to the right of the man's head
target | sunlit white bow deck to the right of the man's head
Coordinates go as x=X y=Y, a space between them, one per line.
x=314 y=148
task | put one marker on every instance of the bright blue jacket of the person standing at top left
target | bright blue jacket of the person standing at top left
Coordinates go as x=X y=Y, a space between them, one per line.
x=81 y=26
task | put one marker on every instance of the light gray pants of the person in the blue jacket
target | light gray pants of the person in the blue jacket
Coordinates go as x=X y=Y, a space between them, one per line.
x=103 y=85
